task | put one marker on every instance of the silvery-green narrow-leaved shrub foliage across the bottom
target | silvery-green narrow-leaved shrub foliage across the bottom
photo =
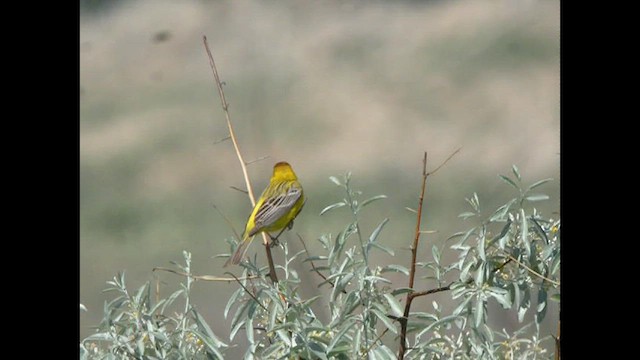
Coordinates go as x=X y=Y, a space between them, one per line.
x=510 y=256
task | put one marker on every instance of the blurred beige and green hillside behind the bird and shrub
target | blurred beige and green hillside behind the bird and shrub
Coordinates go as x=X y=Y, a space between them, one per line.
x=330 y=87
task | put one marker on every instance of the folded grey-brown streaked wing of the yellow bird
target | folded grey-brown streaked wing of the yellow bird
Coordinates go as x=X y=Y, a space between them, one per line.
x=275 y=207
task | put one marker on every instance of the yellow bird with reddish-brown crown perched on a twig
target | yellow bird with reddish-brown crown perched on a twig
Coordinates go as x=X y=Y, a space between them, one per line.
x=275 y=210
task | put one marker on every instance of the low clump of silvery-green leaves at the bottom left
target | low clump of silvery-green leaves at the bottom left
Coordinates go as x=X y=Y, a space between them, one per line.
x=134 y=327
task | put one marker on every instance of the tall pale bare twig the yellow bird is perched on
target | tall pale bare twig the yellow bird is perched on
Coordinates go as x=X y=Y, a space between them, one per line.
x=243 y=164
